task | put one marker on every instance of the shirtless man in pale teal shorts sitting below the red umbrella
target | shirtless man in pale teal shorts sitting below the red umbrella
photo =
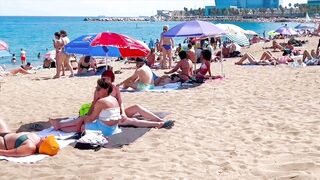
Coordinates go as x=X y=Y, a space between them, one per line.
x=142 y=79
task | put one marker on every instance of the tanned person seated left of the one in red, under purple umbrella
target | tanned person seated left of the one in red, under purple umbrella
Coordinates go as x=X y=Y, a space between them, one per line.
x=185 y=65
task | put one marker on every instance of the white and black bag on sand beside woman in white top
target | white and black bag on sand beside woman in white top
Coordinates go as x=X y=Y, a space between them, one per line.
x=91 y=140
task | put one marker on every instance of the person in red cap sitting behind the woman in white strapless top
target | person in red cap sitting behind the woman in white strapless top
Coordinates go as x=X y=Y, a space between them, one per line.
x=128 y=113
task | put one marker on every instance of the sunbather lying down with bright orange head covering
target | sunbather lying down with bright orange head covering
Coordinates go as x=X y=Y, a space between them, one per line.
x=25 y=143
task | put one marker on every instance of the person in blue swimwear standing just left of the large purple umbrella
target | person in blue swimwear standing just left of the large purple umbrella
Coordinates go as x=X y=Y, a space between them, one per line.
x=167 y=45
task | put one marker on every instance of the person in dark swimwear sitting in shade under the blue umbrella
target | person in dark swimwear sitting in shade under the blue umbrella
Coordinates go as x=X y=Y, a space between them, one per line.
x=85 y=63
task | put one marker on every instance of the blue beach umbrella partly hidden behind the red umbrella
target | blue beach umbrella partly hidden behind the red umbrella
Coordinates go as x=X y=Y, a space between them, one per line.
x=81 y=45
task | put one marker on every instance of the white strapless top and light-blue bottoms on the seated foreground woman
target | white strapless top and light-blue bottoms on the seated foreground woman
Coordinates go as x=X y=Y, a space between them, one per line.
x=111 y=114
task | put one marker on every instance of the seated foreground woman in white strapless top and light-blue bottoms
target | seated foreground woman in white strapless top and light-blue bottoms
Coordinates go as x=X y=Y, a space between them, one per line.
x=105 y=115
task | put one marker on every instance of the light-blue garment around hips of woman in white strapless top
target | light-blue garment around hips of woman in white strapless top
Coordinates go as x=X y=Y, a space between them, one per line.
x=106 y=130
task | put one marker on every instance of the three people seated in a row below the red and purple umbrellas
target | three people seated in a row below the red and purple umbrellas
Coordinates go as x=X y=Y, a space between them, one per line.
x=144 y=79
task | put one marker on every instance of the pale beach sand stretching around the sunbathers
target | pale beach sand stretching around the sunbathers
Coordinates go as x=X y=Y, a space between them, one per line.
x=260 y=122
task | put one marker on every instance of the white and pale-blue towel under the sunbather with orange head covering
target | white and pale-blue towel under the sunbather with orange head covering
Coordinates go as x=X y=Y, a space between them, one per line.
x=62 y=139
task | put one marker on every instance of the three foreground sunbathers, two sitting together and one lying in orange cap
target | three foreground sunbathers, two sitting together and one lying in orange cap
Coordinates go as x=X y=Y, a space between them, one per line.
x=106 y=114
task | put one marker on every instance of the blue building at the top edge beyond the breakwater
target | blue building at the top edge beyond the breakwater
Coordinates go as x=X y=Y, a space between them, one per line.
x=220 y=4
